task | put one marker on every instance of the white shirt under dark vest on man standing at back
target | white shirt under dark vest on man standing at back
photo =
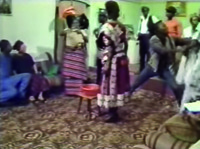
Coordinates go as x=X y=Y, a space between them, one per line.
x=143 y=25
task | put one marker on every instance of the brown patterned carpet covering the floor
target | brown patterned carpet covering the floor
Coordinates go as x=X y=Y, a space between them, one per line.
x=56 y=125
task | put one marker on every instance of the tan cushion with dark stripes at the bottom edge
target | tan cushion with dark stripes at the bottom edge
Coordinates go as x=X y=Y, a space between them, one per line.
x=160 y=140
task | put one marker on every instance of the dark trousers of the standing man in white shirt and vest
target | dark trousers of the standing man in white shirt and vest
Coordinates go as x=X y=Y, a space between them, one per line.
x=144 y=49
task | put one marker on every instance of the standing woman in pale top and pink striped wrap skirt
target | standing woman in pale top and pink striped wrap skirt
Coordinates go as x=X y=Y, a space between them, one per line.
x=74 y=68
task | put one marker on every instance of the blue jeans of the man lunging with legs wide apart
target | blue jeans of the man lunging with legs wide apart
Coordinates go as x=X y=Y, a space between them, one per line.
x=166 y=75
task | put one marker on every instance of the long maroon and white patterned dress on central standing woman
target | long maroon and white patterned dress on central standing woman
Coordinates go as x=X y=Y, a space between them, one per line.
x=115 y=71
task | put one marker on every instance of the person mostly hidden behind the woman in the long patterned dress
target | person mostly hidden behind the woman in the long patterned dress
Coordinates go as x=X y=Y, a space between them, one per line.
x=102 y=20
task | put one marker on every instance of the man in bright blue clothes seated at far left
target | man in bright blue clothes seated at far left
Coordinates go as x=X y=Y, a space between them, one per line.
x=11 y=87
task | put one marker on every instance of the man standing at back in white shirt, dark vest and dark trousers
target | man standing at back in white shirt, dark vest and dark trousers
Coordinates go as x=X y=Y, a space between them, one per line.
x=145 y=31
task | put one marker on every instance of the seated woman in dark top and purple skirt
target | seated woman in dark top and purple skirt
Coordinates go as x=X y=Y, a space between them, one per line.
x=23 y=63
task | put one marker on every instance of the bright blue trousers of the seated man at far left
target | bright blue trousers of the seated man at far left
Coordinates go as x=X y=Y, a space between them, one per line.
x=14 y=87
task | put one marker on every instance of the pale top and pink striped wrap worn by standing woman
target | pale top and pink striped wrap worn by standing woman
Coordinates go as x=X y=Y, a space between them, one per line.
x=74 y=69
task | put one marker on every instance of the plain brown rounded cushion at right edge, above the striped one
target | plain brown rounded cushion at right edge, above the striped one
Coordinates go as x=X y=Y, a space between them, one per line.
x=184 y=127
